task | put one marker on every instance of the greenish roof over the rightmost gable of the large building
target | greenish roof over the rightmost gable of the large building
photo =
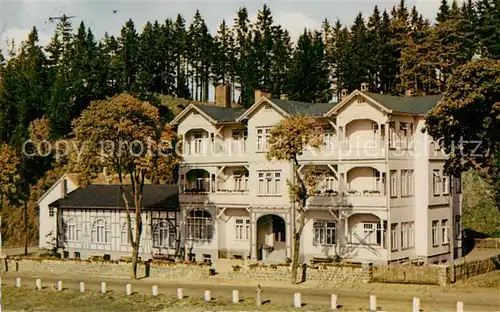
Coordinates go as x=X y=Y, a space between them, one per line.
x=415 y=105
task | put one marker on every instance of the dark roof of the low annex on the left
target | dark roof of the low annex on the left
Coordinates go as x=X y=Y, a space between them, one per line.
x=108 y=196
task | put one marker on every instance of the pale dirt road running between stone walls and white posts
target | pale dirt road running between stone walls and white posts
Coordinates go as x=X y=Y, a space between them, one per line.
x=351 y=298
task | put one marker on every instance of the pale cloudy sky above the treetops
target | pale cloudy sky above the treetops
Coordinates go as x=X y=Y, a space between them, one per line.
x=17 y=17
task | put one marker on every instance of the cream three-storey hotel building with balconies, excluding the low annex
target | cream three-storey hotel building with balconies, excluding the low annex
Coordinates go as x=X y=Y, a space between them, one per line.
x=384 y=198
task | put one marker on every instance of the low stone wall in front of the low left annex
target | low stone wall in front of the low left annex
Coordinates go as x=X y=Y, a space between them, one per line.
x=174 y=271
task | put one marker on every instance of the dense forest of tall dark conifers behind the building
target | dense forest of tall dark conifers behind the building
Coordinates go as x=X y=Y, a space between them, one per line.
x=394 y=52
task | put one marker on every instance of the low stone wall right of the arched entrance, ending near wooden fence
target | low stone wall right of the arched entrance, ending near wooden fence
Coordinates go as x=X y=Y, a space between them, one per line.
x=323 y=274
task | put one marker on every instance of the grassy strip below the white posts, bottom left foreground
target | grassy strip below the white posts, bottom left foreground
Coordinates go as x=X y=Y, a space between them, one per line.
x=15 y=299
